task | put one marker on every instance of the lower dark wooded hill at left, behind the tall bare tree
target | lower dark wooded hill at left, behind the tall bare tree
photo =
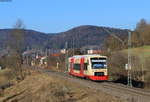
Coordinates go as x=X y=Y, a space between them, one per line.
x=33 y=39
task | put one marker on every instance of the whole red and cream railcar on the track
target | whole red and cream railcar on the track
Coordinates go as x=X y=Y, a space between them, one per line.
x=93 y=67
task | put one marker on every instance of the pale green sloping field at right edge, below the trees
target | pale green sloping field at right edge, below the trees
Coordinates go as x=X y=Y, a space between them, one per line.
x=141 y=51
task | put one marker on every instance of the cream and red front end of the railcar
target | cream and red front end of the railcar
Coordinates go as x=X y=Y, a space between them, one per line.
x=99 y=70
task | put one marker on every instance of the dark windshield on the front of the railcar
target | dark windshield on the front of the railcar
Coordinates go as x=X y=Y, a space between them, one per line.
x=98 y=63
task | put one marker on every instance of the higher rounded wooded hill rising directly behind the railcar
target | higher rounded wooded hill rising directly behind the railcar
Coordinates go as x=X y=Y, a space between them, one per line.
x=86 y=35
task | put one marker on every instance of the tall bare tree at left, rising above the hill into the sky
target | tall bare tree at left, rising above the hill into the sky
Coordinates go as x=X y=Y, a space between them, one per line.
x=16 y=46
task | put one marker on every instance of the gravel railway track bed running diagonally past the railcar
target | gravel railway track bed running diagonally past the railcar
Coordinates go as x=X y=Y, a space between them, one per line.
x=130 y=94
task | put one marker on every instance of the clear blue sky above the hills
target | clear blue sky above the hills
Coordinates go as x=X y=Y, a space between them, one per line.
x=60 y=15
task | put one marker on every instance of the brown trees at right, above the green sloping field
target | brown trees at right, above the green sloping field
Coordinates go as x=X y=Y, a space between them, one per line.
x=139 y=37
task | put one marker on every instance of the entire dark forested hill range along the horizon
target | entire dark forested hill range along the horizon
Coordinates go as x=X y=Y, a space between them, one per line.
x=76 y=37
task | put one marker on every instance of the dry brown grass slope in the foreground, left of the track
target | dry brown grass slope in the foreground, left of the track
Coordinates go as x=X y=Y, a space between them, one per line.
x=43 y=88
